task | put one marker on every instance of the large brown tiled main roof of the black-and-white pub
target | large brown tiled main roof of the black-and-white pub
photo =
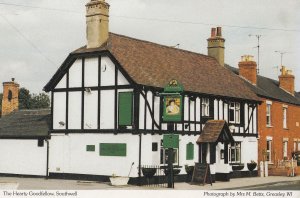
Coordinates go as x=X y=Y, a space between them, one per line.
x=155 y=65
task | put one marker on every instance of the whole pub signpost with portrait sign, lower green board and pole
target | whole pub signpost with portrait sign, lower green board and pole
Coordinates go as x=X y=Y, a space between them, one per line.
x=172 y=113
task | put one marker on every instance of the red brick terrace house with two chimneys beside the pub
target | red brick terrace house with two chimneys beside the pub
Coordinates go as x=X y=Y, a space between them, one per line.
x=278 y=115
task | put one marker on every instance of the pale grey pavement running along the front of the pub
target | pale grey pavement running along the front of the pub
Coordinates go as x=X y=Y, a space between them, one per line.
x=60 y=184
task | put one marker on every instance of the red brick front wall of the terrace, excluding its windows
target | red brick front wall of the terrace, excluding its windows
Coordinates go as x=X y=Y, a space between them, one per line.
x=276 y=130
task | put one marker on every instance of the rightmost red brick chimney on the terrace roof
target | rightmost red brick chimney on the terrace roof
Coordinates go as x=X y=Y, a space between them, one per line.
x=287 y=80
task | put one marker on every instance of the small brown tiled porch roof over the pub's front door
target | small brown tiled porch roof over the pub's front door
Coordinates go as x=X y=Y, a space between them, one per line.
x=212 y=131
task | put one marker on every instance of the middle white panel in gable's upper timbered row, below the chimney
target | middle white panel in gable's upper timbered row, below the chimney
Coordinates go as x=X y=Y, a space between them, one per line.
x=91 y=72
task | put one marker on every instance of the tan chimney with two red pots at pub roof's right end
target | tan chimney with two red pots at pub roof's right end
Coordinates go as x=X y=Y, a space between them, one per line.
x=215 y=46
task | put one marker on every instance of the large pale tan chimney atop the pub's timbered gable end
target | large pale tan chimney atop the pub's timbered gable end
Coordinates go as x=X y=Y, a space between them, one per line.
x=97 y=16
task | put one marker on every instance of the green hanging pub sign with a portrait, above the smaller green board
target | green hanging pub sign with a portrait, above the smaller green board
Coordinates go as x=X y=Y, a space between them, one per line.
x=172 y=105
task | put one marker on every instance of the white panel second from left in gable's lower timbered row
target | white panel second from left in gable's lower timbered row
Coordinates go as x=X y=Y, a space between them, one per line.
x=74 y=110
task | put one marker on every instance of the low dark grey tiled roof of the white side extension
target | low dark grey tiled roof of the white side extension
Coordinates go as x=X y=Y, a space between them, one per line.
x=25 y=123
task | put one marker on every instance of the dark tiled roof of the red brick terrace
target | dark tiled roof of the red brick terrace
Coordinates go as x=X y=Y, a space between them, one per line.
x=269 y=88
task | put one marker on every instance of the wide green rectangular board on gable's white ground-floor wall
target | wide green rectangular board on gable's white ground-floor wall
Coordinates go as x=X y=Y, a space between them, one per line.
x=112 y=149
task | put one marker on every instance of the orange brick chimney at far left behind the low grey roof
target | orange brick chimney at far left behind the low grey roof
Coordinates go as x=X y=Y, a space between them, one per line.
x=10 y=99
